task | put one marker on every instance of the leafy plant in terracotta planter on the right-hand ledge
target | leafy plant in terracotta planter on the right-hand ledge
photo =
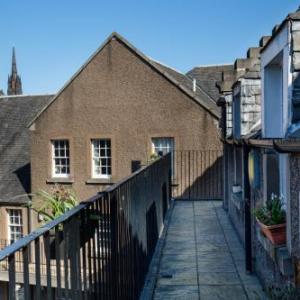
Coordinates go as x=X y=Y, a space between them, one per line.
x=271 y=218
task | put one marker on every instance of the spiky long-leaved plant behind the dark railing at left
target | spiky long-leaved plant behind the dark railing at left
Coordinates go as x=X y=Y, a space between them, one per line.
x=54 y=204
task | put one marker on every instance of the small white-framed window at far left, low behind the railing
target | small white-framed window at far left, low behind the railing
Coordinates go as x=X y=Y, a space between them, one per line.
x=15 y=224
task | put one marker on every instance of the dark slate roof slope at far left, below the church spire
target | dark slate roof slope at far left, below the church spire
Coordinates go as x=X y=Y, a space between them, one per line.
x=15 y=113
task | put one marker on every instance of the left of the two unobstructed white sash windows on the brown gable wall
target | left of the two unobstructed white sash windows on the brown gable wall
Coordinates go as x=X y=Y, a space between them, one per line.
x=60 y=158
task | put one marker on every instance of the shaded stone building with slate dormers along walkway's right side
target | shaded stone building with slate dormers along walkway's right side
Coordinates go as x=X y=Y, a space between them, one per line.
x=261 y=150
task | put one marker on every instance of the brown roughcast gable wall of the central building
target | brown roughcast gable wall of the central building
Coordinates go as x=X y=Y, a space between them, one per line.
x=118 y=96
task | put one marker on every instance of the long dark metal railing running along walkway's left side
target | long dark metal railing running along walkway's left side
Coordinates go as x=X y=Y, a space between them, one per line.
x=101 y=249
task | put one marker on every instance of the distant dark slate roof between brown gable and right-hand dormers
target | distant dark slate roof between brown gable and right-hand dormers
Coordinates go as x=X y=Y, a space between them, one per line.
x=208 y=76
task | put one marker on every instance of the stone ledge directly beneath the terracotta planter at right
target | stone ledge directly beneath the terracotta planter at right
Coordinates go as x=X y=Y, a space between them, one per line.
x=279 y=254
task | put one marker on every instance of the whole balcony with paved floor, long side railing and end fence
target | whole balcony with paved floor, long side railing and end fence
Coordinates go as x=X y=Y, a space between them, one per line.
x=132 y=241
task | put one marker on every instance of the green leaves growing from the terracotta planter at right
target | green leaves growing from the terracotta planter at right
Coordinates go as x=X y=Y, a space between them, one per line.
x=272 y=213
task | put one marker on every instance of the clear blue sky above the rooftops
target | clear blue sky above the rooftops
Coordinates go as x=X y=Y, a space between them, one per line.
x=54 y=38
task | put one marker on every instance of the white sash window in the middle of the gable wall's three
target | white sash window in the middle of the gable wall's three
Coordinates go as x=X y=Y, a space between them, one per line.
x=101 y=158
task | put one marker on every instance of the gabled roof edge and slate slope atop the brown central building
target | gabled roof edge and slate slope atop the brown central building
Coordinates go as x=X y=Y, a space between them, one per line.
x=176 y=78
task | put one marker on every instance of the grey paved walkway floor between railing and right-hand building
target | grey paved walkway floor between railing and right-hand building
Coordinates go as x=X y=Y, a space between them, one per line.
x=202 y=257
